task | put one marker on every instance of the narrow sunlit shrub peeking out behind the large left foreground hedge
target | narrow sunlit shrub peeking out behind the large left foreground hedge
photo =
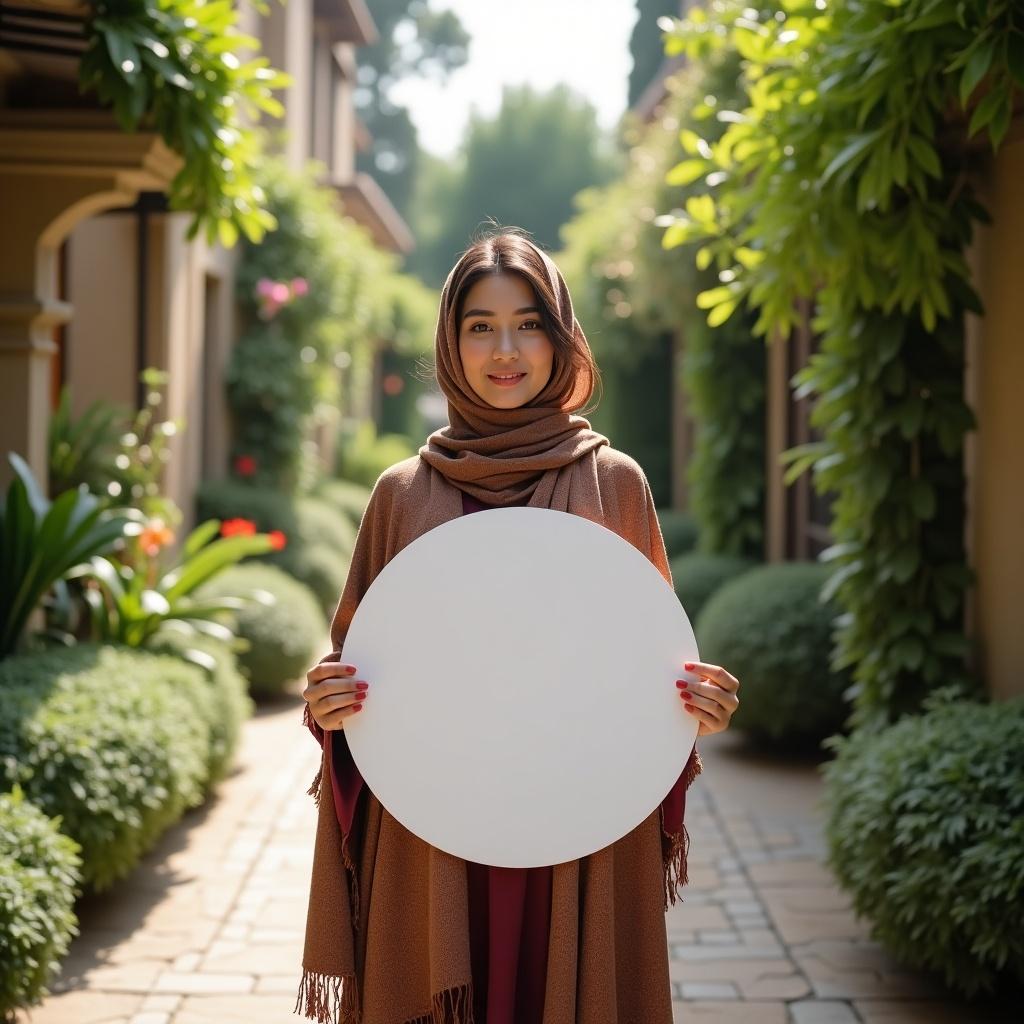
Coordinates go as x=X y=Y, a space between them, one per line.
x=232 y=705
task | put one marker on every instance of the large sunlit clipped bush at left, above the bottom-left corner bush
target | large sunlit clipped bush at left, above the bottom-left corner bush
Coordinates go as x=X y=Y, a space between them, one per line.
x=115 y=741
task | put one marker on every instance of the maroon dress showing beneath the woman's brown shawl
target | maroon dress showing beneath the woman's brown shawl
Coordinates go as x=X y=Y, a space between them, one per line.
x=509 y=908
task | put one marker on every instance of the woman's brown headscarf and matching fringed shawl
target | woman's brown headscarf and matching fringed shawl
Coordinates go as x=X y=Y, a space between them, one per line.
x=388 y=928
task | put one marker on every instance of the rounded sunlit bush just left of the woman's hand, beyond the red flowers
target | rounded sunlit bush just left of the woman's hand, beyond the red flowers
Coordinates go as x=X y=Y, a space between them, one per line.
x=285 y=637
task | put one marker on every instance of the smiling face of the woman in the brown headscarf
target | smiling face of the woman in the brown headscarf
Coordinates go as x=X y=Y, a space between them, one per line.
x=506 y=353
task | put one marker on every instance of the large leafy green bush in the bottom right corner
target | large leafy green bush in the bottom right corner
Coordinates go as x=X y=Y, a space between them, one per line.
x=926 y=831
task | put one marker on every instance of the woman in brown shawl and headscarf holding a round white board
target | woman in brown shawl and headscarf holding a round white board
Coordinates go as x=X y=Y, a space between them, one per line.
x=398 y=931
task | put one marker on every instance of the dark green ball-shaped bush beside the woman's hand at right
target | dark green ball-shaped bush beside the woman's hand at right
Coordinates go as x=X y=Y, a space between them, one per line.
x=774 y=633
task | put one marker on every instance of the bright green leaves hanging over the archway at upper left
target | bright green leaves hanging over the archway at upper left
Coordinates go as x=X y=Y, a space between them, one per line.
x=173 y=67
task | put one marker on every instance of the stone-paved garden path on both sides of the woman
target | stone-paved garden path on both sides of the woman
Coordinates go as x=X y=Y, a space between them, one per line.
x=209 y=929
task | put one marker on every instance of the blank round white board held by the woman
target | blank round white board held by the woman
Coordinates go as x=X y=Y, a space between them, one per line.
x=524 y=709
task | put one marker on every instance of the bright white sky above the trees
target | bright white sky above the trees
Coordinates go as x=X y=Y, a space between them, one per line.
x=582 y=44
